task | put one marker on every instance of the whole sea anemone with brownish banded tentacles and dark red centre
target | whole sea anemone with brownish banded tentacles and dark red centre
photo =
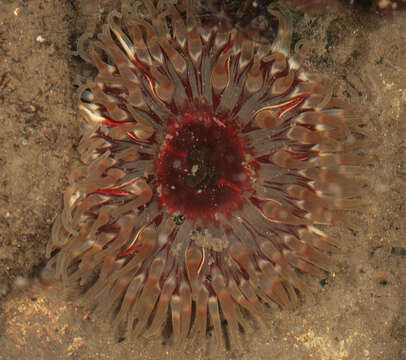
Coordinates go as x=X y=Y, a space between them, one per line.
x=211 y=165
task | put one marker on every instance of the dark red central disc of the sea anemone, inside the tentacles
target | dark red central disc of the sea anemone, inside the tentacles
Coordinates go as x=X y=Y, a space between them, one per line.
x=201 y=167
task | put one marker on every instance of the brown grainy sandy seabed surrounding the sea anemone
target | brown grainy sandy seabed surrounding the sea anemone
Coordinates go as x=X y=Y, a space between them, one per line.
x=359 y=312
